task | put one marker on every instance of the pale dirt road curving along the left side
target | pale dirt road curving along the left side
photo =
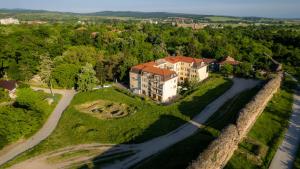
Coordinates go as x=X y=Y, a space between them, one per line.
x=45 y=131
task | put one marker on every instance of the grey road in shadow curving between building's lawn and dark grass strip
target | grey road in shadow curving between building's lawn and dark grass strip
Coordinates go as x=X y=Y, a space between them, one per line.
x=158 y=144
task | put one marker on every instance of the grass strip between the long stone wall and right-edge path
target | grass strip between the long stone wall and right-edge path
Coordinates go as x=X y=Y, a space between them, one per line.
x=266 y=135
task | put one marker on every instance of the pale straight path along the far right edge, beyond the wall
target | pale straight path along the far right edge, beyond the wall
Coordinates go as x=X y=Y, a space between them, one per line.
x=286 y=154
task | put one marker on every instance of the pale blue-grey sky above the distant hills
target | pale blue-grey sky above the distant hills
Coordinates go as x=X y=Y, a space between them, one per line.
x=262 y=8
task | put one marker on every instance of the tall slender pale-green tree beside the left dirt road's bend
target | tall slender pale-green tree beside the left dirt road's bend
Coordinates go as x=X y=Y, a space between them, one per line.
x=45 y=70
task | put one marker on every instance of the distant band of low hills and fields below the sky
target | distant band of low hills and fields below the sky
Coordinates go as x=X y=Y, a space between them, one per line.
x=27 y=14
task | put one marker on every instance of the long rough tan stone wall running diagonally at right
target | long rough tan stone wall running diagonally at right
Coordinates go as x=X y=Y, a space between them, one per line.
x=220 y=150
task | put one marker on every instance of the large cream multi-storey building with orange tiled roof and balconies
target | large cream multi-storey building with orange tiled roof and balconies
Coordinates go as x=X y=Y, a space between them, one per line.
x=159 y=80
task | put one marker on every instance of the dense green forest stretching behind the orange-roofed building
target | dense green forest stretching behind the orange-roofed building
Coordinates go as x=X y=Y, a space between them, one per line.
x=108 y=50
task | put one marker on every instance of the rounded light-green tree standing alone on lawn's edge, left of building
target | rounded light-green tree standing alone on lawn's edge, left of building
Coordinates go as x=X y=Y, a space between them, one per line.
x=87 y=78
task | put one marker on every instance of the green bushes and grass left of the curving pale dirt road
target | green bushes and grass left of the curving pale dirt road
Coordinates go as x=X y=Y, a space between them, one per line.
x=23 y=118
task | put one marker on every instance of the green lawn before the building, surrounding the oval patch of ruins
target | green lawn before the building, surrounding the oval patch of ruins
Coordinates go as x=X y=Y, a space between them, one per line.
x=150 y=120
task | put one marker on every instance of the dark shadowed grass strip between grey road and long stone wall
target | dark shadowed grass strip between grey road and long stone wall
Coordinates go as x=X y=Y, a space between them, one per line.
x=187 y=150
